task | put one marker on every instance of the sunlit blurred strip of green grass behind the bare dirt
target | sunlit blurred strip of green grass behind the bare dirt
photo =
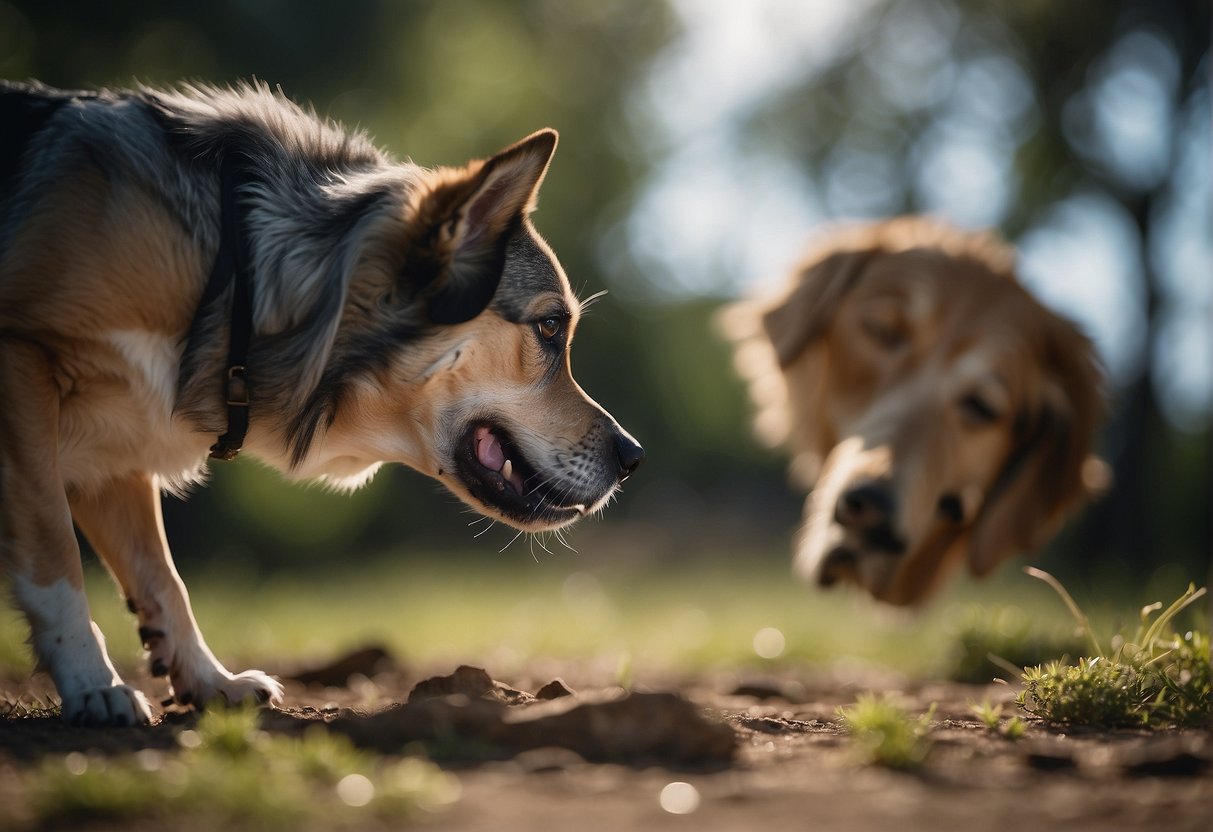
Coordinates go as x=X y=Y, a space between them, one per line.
x=622 y=618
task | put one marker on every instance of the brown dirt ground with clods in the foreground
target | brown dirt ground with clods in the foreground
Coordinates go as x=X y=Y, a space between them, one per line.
x=758 y=750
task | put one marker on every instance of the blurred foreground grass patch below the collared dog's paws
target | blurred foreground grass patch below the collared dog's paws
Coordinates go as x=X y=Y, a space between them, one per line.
x=230 y=772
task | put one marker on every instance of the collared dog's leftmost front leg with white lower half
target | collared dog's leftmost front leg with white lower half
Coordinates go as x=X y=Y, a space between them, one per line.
x=39 y=549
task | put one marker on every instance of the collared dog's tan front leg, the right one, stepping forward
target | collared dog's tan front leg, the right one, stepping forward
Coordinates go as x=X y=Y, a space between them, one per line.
x=124 y=525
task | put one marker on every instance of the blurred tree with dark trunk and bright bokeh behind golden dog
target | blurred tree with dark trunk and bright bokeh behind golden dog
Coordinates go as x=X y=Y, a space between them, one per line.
x=1091 y=99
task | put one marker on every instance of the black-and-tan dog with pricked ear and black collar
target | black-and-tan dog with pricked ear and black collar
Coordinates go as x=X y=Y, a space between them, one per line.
x=176 y=265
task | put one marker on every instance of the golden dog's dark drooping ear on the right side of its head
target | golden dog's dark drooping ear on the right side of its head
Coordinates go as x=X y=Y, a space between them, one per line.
x=1050 y=470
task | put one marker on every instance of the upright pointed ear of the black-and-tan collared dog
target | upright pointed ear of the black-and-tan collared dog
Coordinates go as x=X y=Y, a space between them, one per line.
x=470 y=219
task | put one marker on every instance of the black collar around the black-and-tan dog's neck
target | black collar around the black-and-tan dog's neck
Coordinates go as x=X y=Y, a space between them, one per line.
x=234 y=265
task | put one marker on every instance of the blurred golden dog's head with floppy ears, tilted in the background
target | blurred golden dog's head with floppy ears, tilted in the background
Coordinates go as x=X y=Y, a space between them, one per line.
x=938 y=413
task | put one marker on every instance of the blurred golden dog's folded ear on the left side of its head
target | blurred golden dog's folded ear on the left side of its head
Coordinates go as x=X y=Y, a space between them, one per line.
x=805 y=314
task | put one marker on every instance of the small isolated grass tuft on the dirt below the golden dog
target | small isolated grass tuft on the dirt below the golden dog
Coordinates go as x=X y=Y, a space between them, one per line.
x=886 y=734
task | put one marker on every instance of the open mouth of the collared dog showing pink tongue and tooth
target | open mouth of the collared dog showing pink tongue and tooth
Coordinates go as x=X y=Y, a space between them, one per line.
x=498 y=475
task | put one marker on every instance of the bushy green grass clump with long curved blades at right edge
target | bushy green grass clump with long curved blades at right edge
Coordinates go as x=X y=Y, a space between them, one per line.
x=1155 y=679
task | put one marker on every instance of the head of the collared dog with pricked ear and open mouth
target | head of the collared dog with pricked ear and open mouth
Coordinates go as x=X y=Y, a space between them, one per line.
x=453 y=356
